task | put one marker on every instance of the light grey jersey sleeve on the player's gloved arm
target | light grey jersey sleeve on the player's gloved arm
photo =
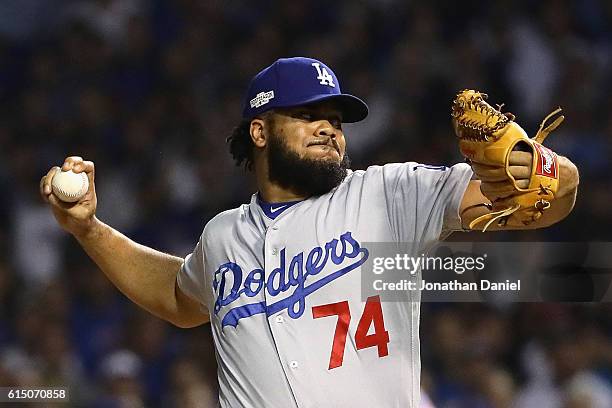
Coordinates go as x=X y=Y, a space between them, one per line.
x=423 y=201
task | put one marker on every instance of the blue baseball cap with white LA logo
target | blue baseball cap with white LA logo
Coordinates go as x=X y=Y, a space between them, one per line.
x=297 y=81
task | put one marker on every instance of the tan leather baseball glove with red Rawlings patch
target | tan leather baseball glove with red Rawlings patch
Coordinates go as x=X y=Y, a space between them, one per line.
x=486 y=138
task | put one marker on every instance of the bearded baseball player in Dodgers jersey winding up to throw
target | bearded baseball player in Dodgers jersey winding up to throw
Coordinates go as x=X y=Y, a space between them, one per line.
x=279 y=277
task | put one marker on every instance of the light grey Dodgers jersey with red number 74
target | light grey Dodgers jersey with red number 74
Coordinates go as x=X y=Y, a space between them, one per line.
x=290 y=325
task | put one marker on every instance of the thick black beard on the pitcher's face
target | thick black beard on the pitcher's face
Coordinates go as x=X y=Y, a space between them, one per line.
x=308 y=177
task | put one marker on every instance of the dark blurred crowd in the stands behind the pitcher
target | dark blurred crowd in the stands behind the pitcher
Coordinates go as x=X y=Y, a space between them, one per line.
x=149 y=90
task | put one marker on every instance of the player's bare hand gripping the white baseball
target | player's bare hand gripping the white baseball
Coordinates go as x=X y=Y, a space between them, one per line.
x=76 y=218
